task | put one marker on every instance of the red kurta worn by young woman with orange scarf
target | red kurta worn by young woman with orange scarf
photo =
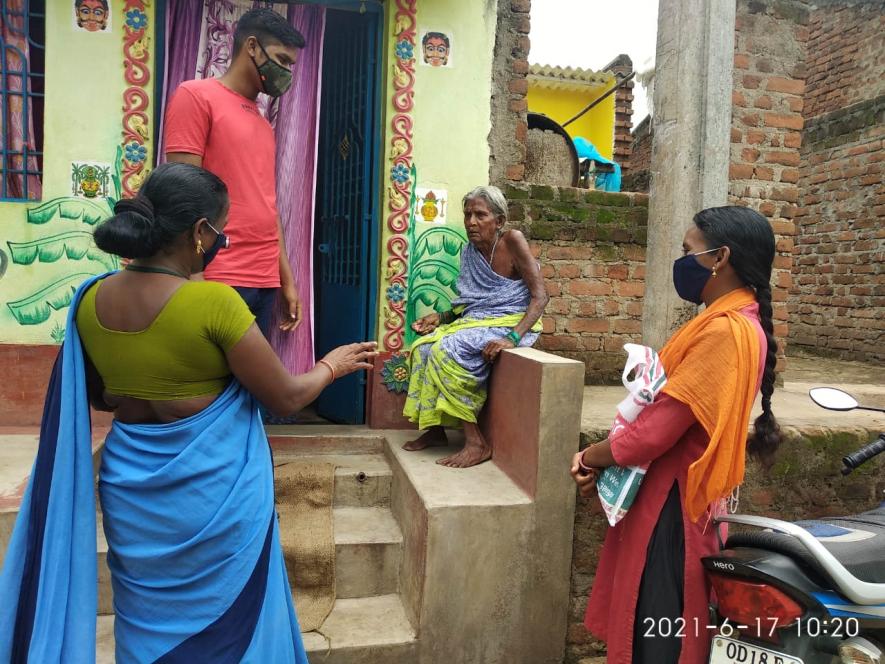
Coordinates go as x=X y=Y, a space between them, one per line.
x=667 y=435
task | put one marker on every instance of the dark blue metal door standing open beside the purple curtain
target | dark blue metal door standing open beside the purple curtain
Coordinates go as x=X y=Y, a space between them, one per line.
x=345 y=189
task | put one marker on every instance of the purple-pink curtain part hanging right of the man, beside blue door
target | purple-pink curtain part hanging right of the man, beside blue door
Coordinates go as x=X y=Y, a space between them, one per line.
x=297 y=128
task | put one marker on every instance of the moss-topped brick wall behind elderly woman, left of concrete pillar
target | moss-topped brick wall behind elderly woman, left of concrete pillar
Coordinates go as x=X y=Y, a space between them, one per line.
x=591 y=247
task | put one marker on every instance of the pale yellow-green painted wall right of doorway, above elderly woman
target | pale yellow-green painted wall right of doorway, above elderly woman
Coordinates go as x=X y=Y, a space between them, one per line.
x=451 y=119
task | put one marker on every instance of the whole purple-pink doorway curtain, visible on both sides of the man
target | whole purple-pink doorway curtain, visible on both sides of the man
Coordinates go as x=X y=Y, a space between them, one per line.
x=199 y=40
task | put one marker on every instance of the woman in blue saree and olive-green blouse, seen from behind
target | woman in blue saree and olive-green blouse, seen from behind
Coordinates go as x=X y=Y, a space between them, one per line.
x=186 y=477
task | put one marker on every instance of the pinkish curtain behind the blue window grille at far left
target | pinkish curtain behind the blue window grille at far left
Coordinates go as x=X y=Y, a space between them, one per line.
x=19 y=121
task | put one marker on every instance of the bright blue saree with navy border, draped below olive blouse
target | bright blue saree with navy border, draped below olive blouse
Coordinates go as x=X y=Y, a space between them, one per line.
x=194 y=552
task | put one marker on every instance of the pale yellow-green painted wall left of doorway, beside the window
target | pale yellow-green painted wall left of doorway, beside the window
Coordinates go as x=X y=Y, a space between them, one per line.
x=83 y=123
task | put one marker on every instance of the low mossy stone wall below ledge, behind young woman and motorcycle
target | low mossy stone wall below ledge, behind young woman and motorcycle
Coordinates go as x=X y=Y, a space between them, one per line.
x=804 y=483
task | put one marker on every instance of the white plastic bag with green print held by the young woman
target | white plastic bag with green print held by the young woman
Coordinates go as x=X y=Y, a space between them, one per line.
x=644 y=378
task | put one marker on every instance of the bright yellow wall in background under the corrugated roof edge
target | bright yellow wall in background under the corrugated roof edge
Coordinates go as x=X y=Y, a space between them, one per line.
x=597 y=125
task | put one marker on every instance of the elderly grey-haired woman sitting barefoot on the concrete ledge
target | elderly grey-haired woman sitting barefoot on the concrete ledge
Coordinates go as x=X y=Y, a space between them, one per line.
x=499 y=306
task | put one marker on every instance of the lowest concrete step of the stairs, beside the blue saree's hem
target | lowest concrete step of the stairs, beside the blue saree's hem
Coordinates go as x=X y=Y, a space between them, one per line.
x=372 y=630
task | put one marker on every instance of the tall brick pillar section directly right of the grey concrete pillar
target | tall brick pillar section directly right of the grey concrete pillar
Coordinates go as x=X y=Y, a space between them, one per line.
x=767 y=98
